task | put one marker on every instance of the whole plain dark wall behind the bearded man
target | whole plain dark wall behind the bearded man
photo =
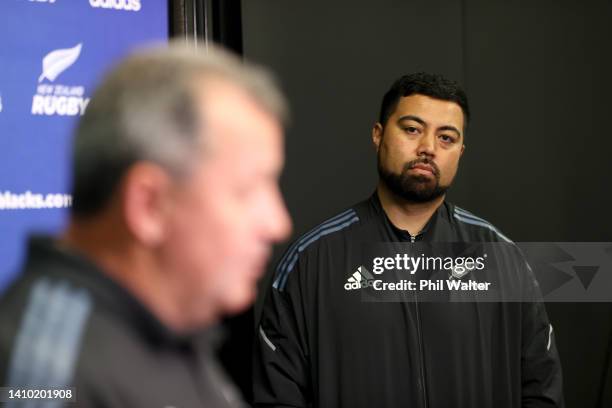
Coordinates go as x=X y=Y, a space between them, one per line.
x=537 y=158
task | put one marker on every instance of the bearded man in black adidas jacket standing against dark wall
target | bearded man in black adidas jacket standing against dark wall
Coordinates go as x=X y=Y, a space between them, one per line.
x=320 y=344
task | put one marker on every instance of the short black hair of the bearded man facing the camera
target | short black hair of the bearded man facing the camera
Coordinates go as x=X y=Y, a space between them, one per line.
x=423 y=83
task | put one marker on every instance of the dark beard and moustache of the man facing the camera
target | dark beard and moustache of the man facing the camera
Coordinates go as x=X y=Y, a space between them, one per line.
x=413 y=187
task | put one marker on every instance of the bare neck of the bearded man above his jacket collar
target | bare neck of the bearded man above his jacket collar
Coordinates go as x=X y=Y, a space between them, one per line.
x=406 y=215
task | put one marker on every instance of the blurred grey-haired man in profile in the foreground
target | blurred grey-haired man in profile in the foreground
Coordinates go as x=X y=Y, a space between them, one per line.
x=176 y=206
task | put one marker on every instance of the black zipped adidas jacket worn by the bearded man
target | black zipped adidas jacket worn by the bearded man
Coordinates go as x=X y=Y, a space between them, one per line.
x=320 y=345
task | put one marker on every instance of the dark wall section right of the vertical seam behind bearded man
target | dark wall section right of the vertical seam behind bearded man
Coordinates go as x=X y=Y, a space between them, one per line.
x=538 y=79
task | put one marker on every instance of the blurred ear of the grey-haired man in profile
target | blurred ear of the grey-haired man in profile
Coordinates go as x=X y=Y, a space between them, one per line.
x=146 y=189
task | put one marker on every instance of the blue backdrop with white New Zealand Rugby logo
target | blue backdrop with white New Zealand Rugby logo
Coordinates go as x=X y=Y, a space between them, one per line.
x=52 y=53
